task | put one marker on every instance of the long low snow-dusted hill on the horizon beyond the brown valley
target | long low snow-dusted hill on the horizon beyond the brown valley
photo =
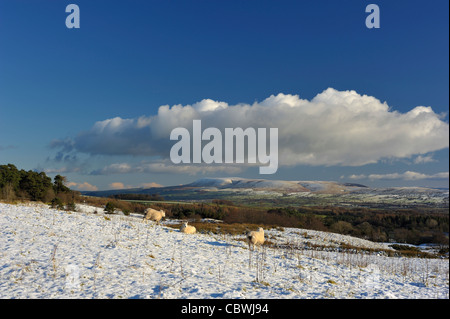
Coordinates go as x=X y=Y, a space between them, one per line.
x=282 y=193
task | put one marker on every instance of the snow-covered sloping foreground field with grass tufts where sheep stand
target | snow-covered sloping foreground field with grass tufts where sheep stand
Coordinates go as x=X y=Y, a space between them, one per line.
x=46 y=253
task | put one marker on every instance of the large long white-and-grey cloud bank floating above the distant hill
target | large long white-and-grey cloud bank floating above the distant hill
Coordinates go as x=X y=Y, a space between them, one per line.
x=334 y=128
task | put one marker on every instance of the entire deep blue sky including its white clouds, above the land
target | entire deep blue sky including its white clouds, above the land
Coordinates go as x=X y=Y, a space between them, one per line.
x=129 y=58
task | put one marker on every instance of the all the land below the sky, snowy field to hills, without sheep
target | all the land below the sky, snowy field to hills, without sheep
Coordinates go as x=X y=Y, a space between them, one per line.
x=58 y=243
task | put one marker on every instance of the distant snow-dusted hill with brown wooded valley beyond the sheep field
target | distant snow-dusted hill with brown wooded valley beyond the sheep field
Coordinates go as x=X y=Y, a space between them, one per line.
x=408 y=215
